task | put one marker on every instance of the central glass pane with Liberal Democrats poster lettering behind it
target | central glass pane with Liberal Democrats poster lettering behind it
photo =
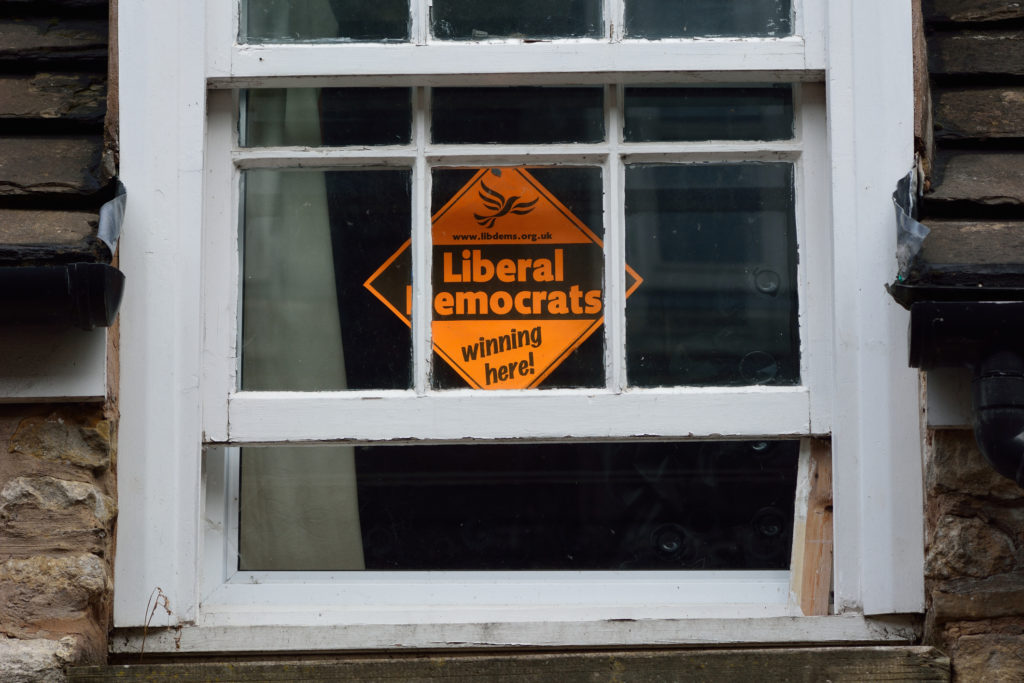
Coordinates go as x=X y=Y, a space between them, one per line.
x=519 y=276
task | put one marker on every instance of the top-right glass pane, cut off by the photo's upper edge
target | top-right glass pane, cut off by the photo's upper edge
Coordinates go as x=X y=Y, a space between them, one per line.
x=691 y=19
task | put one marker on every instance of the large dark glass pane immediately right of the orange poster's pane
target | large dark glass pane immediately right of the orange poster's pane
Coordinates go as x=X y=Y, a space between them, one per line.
x=716 y=245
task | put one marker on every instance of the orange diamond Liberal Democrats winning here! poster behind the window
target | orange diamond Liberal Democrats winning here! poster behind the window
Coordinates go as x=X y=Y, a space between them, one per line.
x=518 y=281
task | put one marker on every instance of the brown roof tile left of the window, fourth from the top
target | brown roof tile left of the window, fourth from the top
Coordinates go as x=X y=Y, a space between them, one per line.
x=51 y=165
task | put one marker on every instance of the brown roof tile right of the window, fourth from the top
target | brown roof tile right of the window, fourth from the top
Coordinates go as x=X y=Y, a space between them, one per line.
x=986 y=180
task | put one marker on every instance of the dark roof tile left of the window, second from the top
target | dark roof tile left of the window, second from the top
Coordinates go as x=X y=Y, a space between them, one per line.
x=42 y=41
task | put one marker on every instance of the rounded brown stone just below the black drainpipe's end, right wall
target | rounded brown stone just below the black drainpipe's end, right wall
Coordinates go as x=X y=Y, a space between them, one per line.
x=968 y=547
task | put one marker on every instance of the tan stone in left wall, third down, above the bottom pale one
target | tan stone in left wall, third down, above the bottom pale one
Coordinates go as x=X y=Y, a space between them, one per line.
x=50 y=593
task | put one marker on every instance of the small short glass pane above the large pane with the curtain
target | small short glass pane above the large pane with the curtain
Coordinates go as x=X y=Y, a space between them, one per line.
x=331 y=117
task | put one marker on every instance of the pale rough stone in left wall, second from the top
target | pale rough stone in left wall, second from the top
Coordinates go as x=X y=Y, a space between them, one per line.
x=45 y=515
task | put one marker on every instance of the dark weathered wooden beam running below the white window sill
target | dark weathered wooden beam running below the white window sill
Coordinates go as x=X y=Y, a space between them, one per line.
x=847 y=664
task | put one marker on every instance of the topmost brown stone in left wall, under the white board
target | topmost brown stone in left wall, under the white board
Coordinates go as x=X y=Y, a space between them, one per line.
x=79 y=440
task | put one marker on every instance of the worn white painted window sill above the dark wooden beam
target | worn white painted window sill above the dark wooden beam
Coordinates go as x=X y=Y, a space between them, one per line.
x=553 y=633
